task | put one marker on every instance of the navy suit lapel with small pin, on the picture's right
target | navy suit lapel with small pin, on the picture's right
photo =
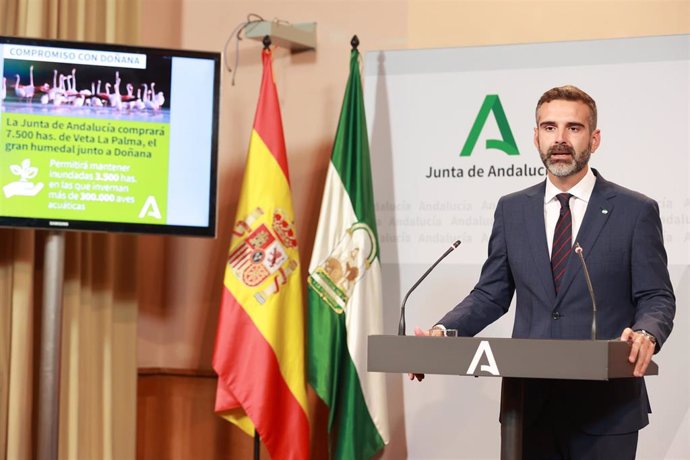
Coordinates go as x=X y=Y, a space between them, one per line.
x=596 y=216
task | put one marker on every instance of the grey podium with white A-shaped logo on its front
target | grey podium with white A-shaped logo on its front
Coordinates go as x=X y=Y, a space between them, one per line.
x=512 y=359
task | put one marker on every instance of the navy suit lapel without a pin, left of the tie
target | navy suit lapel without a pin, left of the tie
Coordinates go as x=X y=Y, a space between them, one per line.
x=536 y=235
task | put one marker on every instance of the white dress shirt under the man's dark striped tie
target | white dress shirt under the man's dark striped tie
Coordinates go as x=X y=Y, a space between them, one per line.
x=578 y=205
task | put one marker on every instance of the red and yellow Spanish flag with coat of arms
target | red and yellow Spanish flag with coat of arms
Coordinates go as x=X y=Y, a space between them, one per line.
x=259 y=351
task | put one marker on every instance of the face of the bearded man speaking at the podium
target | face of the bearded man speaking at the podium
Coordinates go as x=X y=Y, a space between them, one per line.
x=564 y=138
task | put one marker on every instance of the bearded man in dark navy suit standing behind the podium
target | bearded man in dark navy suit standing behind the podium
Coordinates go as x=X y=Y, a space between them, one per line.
x=531 y=253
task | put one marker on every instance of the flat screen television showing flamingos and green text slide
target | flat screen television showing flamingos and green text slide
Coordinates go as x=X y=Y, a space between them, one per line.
x=101 y=137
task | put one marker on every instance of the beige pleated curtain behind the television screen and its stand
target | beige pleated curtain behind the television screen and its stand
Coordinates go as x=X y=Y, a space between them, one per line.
x=98 y=360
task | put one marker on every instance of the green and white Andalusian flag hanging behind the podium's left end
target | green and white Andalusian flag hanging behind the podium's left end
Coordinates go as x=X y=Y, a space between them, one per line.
x=344 y=293
